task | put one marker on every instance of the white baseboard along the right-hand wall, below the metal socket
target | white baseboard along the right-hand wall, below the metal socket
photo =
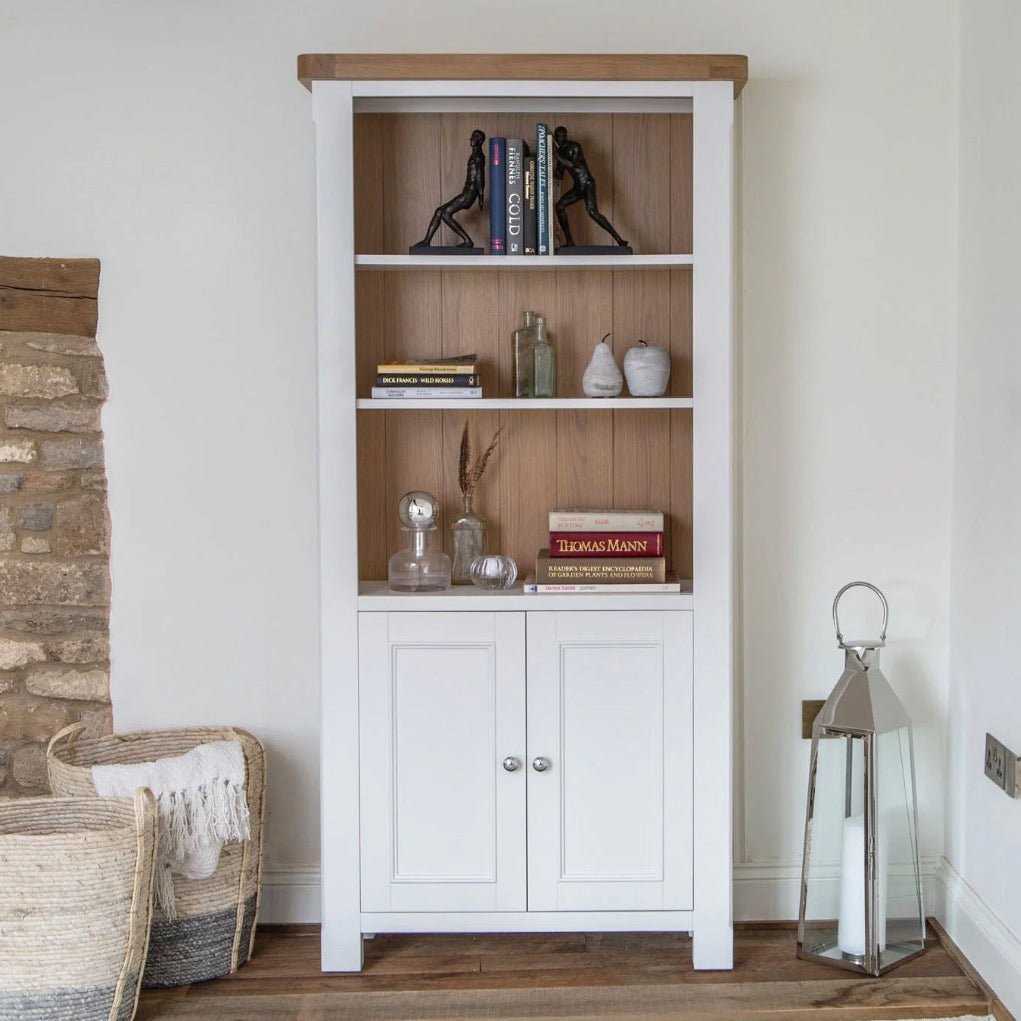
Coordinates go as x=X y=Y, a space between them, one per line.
x=986 y=941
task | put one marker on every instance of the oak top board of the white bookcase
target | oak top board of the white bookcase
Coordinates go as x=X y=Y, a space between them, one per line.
x=525 y=67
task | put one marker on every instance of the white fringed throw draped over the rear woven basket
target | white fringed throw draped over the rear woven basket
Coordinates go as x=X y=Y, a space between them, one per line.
x=201 y=798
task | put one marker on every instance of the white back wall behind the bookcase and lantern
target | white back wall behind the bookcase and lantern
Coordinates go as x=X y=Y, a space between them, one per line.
x=172 y=140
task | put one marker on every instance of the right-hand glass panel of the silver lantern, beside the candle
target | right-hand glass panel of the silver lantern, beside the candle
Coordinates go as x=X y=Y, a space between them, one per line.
x=902 y=919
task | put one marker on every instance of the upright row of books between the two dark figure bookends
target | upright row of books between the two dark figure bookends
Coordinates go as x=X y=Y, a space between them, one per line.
x=521 y=196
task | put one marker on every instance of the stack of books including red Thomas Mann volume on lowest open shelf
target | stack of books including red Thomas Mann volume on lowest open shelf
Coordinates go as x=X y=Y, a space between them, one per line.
x=604 y=552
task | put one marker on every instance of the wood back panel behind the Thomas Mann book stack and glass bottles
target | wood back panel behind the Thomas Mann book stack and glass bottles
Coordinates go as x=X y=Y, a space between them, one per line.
x=546 y=460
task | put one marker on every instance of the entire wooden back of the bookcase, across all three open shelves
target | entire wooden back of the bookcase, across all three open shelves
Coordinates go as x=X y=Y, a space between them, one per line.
x=406 y=165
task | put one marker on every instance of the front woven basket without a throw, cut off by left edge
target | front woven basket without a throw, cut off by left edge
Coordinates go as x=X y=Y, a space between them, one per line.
x=76 y=899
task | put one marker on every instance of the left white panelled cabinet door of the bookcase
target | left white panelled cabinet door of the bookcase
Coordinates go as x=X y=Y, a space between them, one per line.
x=443 y=705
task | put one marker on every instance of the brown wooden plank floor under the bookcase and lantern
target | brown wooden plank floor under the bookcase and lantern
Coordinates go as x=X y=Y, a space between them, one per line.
x=570 y=978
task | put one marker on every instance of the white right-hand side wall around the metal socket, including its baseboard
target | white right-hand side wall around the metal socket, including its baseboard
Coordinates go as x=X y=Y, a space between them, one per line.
x=984 y=826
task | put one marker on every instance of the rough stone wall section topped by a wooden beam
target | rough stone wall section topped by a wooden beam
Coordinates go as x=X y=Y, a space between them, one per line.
x=55 y=526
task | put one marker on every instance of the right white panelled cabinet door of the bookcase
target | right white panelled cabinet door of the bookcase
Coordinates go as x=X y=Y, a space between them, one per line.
x=610 y=819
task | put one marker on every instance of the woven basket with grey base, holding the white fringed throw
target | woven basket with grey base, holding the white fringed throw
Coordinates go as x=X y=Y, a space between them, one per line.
x=215 y=931
